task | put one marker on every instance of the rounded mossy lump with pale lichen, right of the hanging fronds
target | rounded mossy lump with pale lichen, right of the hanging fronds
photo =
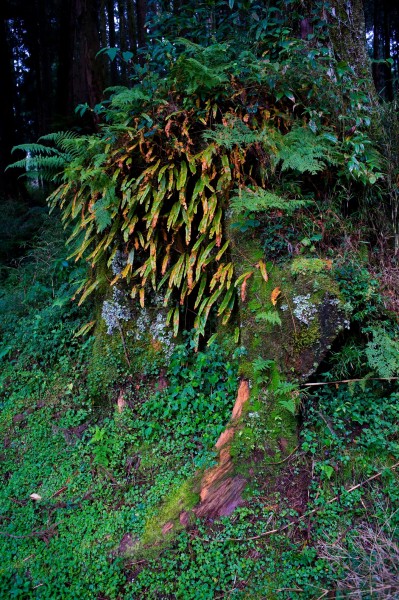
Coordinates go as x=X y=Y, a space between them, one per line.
x=294 y=316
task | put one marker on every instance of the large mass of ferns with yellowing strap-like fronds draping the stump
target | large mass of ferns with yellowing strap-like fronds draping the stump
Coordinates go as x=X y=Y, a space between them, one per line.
x=156 y=180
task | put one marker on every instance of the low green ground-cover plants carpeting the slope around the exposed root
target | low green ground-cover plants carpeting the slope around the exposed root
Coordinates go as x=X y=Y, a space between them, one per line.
x=85 y=492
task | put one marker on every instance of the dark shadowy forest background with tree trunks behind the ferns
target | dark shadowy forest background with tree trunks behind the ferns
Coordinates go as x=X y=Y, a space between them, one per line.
x=49 y=60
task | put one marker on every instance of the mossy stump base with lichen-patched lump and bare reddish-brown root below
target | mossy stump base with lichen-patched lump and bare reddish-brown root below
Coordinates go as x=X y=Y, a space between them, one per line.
x=288 y=321
